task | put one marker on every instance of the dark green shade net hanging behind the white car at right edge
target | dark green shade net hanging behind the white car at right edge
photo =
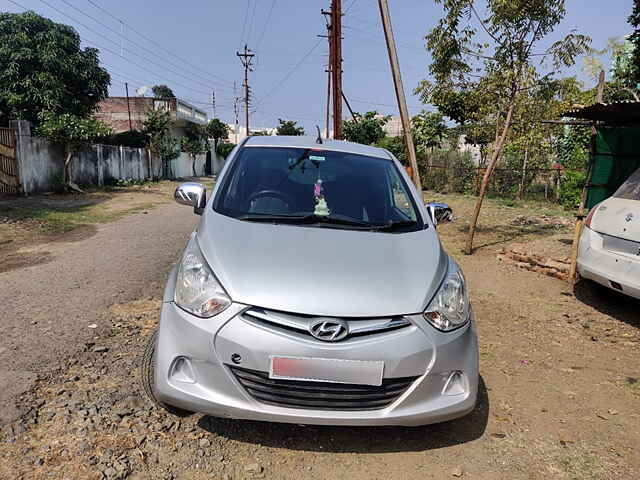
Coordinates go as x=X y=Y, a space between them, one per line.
x=617 y=156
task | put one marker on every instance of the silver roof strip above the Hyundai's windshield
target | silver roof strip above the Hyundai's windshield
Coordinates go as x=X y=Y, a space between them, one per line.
x=311 y=142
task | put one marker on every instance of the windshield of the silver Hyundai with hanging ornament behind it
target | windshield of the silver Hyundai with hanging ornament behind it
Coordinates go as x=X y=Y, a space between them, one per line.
x=317 y=187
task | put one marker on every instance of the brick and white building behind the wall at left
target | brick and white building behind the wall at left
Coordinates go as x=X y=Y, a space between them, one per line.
x=114 y=111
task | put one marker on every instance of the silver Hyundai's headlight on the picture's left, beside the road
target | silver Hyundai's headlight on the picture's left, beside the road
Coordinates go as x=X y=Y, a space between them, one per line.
x=197 y=289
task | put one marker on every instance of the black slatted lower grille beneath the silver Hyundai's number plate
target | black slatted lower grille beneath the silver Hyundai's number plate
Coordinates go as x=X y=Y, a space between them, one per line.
x=320 y=395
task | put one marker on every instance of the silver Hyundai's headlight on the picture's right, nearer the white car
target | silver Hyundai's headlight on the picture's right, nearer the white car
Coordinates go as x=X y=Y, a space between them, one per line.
x=450 y=308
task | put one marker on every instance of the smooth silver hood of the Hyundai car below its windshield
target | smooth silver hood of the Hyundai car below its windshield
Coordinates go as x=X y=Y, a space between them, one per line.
x=323 y=271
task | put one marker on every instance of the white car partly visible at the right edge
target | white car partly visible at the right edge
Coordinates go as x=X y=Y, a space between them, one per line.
x=609 y=252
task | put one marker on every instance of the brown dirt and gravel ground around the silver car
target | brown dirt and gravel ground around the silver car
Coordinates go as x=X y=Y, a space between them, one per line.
x=559 y=398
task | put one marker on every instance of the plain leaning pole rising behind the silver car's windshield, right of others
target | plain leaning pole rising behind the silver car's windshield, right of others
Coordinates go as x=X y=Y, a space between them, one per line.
x=397 y=81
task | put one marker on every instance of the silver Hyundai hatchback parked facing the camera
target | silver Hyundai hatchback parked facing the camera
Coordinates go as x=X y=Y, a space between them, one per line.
x=314 y=290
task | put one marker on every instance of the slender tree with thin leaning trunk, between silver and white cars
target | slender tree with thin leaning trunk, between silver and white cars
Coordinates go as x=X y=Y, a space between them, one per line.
x=500 y=47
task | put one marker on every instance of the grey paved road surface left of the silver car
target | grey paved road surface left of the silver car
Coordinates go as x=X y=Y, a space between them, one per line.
x=47 y=306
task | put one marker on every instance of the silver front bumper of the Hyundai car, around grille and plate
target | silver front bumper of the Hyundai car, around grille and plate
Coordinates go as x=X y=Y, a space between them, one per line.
x=193 y=360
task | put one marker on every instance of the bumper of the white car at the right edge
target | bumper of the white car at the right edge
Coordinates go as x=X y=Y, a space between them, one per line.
x=604 y=266
